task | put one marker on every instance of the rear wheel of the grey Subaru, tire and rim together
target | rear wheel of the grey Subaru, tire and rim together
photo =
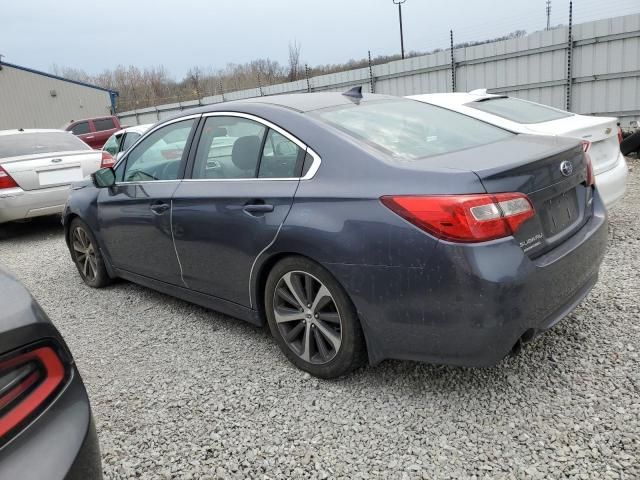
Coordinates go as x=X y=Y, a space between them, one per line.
x=313 y=319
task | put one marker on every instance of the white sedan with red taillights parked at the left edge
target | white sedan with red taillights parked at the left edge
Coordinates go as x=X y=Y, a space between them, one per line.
x=37 y=168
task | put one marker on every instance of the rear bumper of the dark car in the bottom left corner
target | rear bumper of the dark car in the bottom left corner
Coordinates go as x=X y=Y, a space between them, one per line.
x=59 y=444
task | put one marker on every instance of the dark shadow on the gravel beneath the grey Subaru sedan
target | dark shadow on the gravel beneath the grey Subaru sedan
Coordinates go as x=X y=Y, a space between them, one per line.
x=540 y=362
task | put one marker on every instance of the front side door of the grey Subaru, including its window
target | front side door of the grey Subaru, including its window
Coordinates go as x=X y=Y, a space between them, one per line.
x=135 y=214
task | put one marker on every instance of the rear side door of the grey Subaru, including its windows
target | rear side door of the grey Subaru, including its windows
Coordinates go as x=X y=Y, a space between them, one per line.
x=243 y=177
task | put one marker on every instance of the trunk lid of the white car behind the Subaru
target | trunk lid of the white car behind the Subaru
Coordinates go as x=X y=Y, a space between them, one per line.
x=602 y=132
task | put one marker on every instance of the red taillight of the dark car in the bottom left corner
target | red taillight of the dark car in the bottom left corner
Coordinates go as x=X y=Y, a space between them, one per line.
x=27 y=383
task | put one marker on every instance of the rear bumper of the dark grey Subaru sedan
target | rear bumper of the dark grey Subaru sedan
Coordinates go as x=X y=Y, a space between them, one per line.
x=472 y=303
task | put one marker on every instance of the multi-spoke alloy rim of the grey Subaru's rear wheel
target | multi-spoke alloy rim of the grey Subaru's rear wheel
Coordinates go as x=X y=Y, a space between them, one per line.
x=307 y=317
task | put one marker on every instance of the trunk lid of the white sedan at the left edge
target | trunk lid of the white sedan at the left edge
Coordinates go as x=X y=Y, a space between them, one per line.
x=34 y=172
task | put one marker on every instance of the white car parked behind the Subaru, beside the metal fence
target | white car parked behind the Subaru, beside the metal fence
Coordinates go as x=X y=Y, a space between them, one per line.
x=600 y=134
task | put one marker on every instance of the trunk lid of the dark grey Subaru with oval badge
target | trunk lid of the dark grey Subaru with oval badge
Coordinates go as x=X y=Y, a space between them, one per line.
x=531 y=164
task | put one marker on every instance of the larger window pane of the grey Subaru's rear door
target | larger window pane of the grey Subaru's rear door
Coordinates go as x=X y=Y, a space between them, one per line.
x=229 y=147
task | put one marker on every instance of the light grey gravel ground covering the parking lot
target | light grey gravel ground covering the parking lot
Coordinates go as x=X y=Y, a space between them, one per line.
x=182 y=392
